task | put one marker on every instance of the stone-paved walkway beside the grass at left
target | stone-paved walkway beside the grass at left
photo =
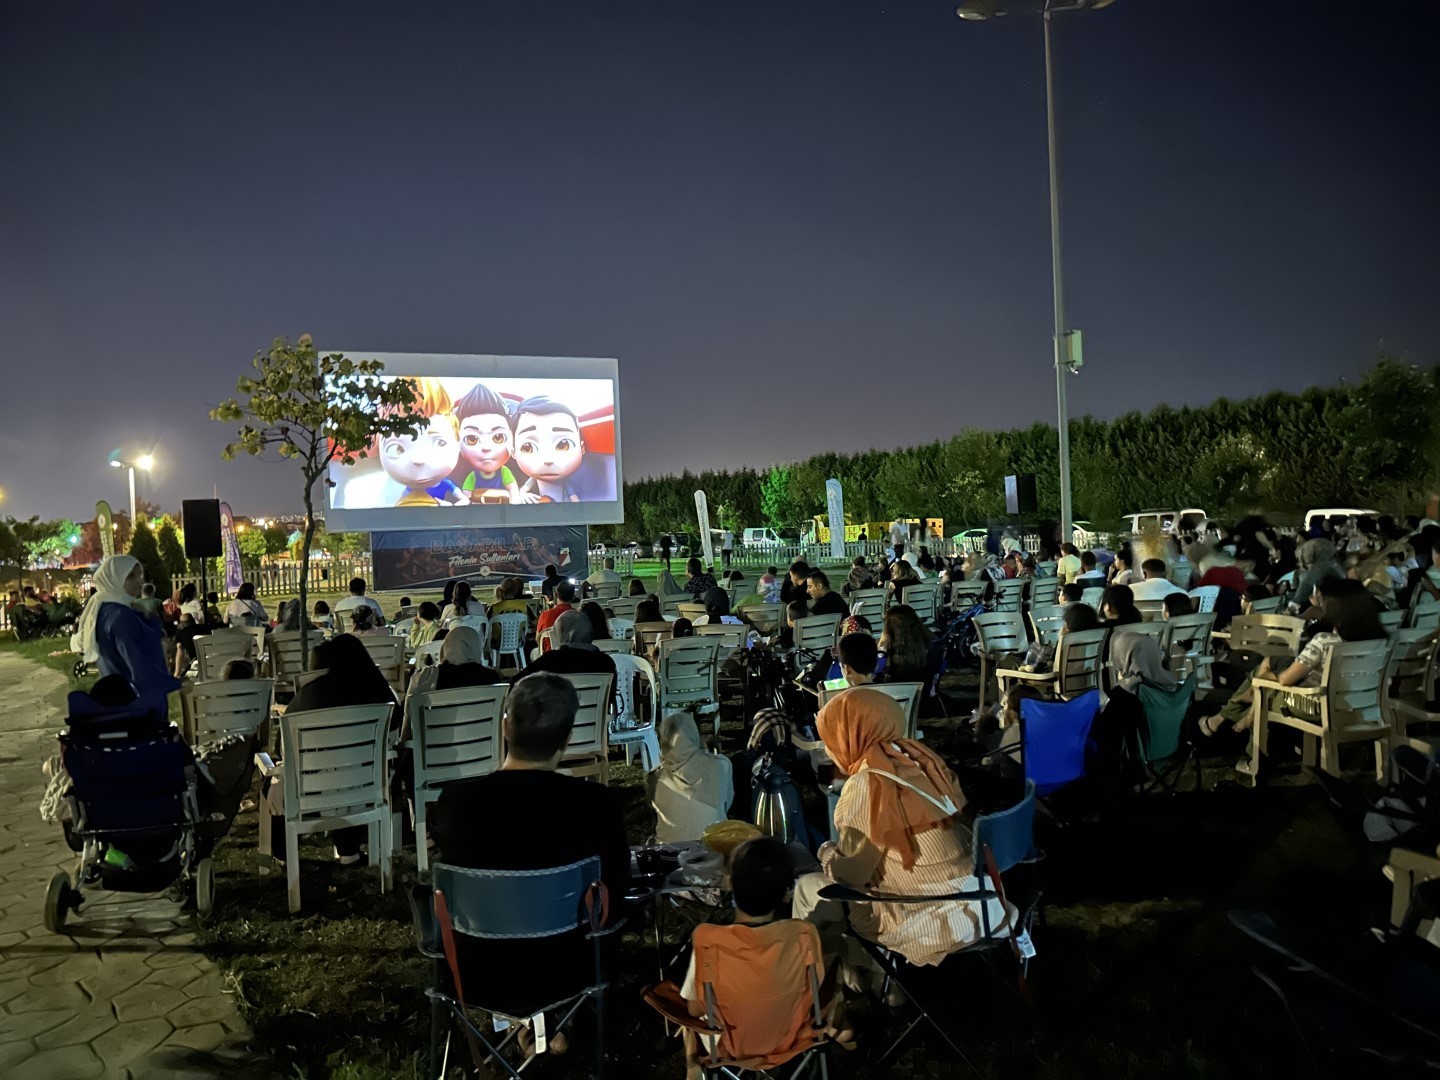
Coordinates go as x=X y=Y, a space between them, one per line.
x=126 y=996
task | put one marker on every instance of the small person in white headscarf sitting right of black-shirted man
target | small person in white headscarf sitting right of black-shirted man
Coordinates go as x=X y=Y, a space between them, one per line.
x=692 y=790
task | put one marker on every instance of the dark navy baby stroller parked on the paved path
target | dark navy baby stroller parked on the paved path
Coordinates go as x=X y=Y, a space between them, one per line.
x=133 y=803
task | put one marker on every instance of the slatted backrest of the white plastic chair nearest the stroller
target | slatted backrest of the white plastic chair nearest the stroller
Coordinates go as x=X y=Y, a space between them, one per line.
x=335 y=761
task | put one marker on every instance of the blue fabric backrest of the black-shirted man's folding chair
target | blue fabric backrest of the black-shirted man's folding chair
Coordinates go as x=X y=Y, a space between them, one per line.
x=518 y=905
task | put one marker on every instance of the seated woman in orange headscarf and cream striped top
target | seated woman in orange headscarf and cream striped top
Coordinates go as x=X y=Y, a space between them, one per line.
x=899 y=829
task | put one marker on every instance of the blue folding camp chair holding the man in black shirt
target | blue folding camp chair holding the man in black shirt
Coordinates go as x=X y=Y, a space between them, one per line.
x=510 y=905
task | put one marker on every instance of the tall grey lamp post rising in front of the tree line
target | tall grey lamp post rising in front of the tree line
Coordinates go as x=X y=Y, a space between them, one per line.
x=1066 y=345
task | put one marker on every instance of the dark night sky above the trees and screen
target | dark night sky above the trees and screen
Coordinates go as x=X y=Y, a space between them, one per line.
x=801 y=225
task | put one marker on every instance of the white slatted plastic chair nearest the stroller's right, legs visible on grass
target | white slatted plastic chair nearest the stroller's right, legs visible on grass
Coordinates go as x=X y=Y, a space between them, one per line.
x=333 y=777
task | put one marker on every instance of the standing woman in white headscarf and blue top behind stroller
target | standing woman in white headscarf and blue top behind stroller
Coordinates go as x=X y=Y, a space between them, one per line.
x=122 y=640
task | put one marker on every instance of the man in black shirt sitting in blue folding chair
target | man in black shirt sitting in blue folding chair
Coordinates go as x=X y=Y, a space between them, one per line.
x=529 y=817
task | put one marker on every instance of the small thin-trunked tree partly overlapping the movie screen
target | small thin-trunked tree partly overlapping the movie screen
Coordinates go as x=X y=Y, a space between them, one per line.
x=316 y=410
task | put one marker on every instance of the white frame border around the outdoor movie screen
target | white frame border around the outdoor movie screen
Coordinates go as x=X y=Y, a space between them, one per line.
x=487 y=366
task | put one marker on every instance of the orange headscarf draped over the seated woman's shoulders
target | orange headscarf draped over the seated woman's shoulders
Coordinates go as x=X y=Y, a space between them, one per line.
x=863 y=728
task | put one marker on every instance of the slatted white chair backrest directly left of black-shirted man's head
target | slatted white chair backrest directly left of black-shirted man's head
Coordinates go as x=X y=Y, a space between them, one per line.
x=457 y=735
